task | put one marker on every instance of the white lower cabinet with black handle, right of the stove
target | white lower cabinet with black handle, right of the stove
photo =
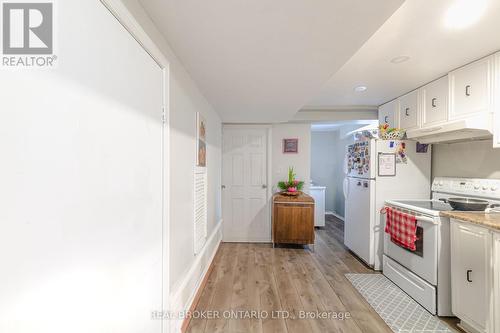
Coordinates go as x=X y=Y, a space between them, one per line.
x=475 y=285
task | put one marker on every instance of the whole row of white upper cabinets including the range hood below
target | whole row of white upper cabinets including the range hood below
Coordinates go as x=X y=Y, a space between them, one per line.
x=460 y=106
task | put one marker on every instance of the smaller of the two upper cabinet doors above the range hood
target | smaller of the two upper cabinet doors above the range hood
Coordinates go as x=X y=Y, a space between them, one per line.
x=435 y=102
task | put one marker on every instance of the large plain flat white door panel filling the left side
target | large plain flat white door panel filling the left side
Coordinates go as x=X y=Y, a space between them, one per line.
x=81 y=183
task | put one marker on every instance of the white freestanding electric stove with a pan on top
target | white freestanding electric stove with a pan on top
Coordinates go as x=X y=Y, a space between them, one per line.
x=425 y=273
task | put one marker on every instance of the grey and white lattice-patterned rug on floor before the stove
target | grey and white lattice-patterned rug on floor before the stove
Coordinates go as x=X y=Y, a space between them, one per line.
x=400 y=312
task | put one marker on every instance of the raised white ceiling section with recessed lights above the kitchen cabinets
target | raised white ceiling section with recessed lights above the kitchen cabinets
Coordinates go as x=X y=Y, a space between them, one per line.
x=418 y=29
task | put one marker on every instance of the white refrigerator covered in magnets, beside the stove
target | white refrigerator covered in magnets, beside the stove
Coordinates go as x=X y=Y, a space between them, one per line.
x=365 y=191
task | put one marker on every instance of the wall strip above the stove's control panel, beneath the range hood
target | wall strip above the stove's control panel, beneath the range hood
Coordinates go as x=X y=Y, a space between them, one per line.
x=466 y=159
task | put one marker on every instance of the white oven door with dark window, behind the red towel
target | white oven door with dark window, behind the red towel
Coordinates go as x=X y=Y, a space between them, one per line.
x=423 y=261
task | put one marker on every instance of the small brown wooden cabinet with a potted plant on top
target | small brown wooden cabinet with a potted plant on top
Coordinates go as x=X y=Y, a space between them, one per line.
x=293 y=219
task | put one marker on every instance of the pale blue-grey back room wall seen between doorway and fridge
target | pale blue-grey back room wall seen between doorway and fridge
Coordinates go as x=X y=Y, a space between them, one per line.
x=323 y=159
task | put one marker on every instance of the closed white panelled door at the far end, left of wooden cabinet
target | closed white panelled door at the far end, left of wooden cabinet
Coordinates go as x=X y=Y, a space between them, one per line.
x=244 y=178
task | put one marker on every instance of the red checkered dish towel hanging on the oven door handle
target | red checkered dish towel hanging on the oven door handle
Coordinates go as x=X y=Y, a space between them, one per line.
x=402 y=228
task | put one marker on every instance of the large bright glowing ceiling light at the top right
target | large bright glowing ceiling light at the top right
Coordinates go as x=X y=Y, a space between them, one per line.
x=464 y=13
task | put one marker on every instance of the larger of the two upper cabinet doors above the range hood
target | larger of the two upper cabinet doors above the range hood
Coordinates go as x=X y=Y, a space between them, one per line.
x=470 y=89
